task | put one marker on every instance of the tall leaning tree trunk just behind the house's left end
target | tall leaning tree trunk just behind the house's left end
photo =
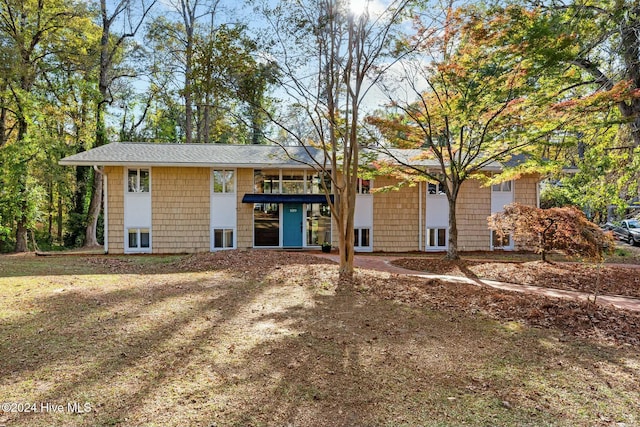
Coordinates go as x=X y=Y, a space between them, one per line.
x=111 y=47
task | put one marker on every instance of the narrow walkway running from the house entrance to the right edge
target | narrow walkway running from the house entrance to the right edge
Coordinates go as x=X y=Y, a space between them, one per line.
x=383 y=263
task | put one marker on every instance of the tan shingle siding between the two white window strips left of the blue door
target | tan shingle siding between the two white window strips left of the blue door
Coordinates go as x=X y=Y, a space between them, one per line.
x=180 y=203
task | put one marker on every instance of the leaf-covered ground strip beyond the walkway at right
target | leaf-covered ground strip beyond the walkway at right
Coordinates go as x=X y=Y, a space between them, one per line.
x=612 y=280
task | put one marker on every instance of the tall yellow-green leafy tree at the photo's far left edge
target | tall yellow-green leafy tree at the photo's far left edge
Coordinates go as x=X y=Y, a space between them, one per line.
x=31 y=32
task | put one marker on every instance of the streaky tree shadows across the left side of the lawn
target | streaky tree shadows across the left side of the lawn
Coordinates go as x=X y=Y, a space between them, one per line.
x=113 y=349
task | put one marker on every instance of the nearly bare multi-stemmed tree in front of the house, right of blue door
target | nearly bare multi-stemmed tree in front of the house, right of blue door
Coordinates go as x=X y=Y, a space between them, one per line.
x=328 y=53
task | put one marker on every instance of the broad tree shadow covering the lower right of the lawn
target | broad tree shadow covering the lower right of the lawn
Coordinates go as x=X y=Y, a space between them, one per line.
x=362 y=361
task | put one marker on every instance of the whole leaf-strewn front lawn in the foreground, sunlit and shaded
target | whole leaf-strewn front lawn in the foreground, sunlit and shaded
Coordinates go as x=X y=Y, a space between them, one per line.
x=265 y=338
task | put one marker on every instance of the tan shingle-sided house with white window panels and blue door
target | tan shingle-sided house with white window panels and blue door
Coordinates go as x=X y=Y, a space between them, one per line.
x=176 y=198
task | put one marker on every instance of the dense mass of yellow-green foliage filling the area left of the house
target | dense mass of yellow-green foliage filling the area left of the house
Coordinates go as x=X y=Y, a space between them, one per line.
x=43 y=93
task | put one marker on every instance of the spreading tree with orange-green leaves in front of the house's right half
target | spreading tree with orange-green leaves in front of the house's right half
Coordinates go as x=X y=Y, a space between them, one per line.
x=474 y=97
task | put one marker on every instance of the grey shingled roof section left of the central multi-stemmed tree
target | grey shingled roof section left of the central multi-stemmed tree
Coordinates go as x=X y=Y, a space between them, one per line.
x=194 y=155
